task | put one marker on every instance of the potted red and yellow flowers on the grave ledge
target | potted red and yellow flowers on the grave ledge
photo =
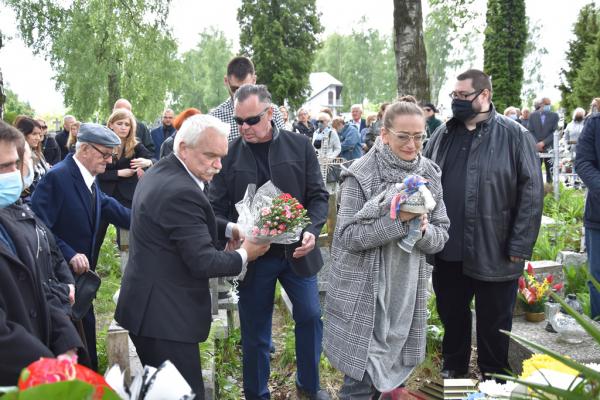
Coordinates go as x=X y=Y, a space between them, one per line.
x=534 y=292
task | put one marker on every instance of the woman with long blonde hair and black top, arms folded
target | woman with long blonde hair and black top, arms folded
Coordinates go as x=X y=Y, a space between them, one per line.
x=125 y=169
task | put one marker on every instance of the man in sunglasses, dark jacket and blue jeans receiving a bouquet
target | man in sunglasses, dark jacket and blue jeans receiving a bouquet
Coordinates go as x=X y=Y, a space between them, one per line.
x=263 y=153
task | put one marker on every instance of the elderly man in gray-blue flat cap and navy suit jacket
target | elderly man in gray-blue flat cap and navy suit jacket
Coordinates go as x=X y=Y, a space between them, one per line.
x=68 y=201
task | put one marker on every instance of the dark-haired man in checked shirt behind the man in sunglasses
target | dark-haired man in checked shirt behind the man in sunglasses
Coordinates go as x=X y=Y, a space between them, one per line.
x=240 y=71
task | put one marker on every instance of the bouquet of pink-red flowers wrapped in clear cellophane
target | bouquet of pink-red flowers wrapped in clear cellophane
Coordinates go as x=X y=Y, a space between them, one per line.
x=268 y=215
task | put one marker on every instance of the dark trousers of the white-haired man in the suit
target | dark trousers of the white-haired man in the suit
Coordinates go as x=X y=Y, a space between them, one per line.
x=185 y=357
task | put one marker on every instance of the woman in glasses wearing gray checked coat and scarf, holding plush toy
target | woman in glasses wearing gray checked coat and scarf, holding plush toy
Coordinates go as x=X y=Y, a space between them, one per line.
x=376 y=304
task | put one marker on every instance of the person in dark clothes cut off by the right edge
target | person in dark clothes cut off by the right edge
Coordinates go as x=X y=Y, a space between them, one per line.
x=587 y=166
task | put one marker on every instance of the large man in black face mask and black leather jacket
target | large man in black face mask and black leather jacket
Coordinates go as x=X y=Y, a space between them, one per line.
x=493 y=193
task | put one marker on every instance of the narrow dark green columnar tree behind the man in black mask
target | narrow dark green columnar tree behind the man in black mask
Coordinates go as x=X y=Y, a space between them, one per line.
x=504 y=50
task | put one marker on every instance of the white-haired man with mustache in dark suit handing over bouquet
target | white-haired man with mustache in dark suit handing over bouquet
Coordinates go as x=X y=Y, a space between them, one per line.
x=165 y=300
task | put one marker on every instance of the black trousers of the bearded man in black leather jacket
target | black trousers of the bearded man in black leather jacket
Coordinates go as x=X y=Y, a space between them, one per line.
x=494 y=304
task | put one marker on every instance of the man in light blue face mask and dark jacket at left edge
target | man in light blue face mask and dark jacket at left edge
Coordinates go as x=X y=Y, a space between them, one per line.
x=30 y=326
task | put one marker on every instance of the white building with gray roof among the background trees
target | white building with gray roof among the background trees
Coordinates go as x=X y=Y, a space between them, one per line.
x=326 y=91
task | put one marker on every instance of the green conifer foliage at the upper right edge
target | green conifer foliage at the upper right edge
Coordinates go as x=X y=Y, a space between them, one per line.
x=586 y=31
